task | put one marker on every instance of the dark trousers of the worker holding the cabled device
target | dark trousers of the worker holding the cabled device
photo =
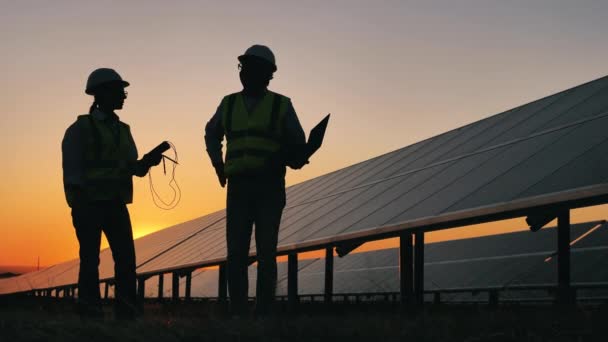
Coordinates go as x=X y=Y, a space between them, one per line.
x=113 y=219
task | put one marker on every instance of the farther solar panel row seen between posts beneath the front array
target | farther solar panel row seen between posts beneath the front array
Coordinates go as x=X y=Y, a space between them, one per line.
x=505 y=260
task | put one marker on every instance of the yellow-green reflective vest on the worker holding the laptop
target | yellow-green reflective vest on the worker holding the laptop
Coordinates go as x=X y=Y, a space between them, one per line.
x=254 y=139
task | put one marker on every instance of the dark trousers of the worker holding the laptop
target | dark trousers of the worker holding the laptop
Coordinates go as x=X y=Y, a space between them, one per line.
x=249 y=202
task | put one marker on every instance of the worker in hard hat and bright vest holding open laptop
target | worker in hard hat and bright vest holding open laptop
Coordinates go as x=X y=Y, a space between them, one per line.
x=262 y=129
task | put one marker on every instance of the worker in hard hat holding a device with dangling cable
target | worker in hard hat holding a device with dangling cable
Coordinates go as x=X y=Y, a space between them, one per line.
x=99 y=160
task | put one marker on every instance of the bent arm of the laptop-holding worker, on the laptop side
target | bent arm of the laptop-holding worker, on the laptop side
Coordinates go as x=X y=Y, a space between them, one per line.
x=294 y=139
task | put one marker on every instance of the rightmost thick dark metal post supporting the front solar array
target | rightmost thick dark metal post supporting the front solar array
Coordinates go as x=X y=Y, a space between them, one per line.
x=563 y=258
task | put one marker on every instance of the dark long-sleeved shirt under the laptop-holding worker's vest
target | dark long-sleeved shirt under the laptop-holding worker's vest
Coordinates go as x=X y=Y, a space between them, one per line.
x=293 y=136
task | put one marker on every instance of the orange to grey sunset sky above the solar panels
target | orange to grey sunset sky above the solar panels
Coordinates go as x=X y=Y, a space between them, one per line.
x=390 y=72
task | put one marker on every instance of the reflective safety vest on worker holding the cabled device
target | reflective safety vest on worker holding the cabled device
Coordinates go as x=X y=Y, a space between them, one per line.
x=109 y=160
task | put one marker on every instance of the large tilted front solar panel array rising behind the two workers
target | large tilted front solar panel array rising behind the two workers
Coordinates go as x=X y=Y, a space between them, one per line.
x=543 y=148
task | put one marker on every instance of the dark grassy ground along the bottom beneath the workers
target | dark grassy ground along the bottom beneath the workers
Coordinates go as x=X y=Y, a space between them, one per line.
x=49 y=320
